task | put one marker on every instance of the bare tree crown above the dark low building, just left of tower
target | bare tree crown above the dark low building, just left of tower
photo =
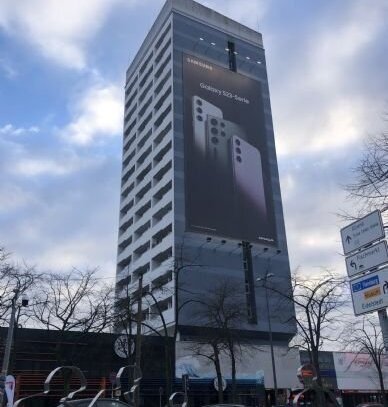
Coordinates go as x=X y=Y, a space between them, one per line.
x=75 y=301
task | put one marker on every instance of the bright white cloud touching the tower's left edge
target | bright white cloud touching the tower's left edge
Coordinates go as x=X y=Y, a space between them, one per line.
x=97 y=114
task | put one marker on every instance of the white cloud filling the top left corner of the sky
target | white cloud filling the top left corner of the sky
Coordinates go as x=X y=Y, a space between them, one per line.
x=60 y=30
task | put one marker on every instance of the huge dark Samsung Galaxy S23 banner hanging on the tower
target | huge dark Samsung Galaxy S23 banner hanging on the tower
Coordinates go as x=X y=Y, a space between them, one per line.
x=227 y=176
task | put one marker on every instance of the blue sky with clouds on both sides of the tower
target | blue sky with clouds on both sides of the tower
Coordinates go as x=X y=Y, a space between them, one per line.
x=62 y=68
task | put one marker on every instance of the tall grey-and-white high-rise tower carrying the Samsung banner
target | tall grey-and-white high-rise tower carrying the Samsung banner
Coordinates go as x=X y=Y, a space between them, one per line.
x=200 y=195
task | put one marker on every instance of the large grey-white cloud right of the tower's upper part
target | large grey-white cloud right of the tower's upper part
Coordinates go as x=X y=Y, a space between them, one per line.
x=328 y=104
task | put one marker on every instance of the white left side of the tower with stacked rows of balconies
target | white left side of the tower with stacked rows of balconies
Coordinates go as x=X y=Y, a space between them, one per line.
x=147 y=141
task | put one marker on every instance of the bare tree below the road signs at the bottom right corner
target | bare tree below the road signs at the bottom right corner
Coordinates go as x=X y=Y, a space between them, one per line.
x=365 y=336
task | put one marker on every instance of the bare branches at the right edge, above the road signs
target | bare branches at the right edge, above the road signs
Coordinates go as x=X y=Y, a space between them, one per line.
x=370 y=186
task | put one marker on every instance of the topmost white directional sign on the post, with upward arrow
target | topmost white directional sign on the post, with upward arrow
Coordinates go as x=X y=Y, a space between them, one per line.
x=362 y=232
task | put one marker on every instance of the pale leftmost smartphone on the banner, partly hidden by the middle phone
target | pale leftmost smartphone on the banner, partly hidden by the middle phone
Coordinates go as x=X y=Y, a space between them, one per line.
x=201 y=109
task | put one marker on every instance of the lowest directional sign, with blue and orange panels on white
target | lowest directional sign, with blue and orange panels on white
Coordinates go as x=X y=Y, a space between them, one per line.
x=370 y=292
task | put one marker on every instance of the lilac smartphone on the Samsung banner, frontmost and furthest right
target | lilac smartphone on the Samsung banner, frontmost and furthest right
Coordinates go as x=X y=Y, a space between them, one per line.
x=250 y=203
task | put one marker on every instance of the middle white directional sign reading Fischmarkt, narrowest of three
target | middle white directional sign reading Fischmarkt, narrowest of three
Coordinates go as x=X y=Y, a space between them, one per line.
x=367 y=259
